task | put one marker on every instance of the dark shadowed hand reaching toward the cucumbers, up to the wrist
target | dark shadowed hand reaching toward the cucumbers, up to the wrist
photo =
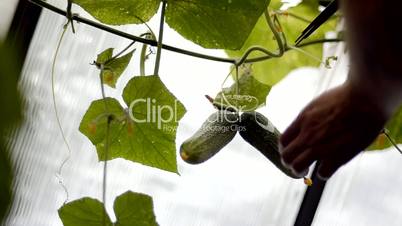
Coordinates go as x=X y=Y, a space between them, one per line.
x=332 y=129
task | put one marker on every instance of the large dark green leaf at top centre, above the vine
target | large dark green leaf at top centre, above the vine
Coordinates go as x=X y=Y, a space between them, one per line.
x=219 y=24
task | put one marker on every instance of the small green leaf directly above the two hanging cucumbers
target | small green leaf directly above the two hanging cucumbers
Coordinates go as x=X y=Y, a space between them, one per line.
x=252 y=93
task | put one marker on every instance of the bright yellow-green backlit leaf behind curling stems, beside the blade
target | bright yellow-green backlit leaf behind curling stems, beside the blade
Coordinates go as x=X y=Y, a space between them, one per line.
x=273 y=70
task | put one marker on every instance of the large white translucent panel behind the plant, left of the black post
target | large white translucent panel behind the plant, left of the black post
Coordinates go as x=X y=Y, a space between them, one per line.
x=238 y=187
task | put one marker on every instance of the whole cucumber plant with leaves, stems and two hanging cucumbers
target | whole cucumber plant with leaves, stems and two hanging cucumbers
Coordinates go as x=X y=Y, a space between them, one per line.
x=246 y=29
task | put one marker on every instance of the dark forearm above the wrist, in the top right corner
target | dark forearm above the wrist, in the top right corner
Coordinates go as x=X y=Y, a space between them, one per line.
x=374 y=35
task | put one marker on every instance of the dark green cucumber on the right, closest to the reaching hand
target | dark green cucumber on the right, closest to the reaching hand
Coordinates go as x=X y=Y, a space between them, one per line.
x=258 y=131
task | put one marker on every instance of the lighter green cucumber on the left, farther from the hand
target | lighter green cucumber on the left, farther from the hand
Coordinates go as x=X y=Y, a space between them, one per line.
x=215 y=133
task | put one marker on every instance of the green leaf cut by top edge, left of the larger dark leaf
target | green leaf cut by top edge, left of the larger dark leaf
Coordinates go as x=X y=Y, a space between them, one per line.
x=119 y=12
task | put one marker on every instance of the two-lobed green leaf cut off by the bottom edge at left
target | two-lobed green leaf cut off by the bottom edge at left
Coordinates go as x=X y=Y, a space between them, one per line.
x=131 y=209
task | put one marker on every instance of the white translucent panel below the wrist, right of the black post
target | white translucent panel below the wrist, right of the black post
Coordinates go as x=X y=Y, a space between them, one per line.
x=365 y=192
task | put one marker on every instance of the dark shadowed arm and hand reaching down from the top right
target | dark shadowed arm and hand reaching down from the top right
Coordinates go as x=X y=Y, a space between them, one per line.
x=340 y=123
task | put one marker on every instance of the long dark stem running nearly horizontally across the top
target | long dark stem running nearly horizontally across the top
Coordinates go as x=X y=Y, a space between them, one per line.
x=166 y=47
